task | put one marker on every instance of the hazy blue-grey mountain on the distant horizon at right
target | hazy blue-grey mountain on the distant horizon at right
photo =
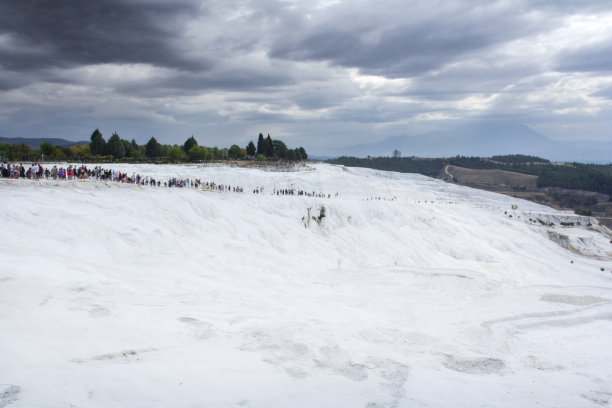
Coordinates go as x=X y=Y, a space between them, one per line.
x=485 y=139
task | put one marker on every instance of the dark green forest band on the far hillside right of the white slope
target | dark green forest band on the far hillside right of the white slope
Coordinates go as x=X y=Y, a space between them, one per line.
x=589 y=177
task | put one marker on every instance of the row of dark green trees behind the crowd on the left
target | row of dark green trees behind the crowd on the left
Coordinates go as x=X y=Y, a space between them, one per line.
x=117 y=148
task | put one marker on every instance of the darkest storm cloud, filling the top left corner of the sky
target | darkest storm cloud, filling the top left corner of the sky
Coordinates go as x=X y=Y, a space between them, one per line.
x=61 y=33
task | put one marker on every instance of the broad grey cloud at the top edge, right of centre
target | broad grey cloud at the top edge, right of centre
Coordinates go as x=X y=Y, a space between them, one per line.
x=391 y=40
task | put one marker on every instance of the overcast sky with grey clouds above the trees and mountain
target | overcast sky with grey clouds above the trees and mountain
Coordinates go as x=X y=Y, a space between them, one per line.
x=320 y=74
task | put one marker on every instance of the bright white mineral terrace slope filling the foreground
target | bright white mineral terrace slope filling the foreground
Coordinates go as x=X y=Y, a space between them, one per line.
x=124 y=296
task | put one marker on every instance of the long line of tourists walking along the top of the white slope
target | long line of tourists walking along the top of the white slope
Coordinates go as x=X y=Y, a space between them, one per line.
x=77 y=172
